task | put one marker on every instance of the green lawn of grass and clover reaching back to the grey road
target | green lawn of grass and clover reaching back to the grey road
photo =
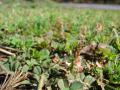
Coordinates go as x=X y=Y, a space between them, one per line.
x=36 y=29
